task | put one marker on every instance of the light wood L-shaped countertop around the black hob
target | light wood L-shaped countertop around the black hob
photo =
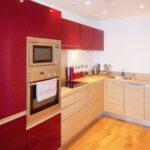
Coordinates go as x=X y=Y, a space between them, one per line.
x=95 y=78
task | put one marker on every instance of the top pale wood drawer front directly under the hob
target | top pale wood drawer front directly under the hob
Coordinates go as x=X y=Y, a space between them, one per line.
x=73 y=98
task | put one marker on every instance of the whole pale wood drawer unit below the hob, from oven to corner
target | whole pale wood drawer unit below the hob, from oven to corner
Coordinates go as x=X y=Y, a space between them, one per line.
x=81 y=108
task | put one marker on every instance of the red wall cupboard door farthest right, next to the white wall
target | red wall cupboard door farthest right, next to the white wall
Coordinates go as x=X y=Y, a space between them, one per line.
x=98 y=42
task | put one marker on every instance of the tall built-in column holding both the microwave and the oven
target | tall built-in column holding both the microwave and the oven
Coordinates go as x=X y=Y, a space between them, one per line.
x=43 y=79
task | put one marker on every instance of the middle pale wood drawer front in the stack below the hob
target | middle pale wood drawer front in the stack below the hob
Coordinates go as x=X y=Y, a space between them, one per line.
x=75 y=108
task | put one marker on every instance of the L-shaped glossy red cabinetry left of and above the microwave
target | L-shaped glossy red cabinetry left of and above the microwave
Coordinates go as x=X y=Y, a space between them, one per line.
x=19 y=20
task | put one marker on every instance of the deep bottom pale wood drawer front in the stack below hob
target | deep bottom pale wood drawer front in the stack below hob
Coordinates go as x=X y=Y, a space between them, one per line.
x=71 y=126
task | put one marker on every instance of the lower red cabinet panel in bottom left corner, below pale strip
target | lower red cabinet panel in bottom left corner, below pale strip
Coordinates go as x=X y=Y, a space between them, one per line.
x=13 y=135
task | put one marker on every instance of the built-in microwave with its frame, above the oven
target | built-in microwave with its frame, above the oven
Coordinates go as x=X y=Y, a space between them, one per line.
x=42 y=52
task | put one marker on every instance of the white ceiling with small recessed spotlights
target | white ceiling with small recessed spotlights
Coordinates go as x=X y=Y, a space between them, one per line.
x=112 y=8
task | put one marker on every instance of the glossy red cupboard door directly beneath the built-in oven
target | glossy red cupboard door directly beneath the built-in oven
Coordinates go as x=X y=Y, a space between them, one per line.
x=45 y=136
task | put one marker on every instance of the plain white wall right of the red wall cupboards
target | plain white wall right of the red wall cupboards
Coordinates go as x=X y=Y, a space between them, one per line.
x=127 y=44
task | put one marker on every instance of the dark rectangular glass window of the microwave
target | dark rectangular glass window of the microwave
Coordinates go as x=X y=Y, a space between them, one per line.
x=42 y=54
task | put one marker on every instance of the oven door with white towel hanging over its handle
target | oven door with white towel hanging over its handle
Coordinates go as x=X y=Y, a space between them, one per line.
x=47 y=96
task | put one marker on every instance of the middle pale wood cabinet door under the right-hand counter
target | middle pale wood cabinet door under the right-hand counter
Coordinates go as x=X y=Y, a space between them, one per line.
x=134 y=101
